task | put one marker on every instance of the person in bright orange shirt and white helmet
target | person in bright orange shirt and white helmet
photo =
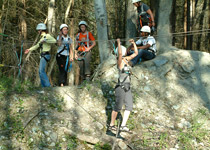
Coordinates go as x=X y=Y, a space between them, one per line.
x=85 y=42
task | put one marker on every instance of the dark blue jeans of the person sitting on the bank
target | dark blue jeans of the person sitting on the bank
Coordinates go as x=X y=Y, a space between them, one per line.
x=142 y=54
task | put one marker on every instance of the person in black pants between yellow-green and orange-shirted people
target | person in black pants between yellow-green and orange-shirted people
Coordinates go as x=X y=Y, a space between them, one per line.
x=64 y=51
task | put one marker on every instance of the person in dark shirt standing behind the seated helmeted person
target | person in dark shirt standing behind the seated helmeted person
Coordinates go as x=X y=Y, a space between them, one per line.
x=145 y=15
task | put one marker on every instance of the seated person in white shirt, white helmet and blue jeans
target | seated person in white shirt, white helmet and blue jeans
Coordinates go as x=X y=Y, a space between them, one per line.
x=146 y=46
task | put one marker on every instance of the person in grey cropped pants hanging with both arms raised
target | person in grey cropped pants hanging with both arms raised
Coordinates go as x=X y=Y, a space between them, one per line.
x=122 y=89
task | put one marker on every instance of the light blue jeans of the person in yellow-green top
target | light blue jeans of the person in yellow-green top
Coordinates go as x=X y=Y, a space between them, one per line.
x=42 y=74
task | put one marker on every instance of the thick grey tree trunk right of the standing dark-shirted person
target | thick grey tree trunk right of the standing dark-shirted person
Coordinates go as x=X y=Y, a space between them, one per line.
x=164 y=34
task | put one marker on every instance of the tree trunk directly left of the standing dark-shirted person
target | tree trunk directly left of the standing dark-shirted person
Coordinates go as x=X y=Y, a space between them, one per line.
x=131 y=21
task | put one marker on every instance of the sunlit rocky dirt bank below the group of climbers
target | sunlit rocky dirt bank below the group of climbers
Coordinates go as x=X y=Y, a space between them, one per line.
x=169 y=92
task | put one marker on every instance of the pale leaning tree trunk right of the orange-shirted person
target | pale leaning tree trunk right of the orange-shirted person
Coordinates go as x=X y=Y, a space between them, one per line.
x=101 y=20
